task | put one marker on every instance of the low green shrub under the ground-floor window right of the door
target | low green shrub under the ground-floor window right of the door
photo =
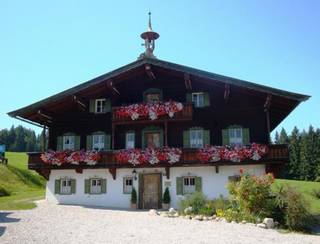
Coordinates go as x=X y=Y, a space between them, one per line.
x=195 y=200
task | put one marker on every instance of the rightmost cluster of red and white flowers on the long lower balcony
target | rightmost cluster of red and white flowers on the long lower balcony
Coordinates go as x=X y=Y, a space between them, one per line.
x=234 y=154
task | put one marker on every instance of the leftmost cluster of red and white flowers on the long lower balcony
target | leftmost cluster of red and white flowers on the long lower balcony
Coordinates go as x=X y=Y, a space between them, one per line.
x=70 y=157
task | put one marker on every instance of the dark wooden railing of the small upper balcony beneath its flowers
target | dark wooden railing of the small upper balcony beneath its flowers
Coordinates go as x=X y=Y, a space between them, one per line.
x=184 y=115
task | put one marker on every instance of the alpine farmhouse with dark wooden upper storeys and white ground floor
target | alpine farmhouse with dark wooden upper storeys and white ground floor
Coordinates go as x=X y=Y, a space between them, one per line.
x=152 y=125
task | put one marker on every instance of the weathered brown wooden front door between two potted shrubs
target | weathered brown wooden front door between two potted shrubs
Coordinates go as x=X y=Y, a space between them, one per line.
x=151 y=191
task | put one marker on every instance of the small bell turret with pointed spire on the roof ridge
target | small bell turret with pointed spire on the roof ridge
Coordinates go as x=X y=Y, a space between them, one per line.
x=149 y=38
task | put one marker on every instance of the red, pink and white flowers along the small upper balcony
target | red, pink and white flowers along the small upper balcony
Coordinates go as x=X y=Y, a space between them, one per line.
x=151 y=110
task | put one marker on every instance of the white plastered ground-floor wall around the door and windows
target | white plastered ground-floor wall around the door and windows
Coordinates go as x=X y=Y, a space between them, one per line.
x=213 y=184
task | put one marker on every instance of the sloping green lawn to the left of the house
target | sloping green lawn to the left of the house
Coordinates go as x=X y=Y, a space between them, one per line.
x=24 y=185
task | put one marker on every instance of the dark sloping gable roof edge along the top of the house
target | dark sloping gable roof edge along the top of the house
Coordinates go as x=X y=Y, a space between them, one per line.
x=21 y=113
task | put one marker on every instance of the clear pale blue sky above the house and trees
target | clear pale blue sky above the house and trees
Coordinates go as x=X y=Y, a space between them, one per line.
x=49 y=46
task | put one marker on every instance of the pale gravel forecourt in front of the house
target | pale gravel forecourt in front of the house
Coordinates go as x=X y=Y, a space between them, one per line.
x=76 y=224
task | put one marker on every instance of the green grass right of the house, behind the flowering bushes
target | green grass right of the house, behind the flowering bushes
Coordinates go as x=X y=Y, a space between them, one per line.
x=306 y=188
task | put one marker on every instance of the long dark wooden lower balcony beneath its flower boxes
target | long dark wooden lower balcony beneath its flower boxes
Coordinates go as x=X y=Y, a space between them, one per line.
x=277 y=155
